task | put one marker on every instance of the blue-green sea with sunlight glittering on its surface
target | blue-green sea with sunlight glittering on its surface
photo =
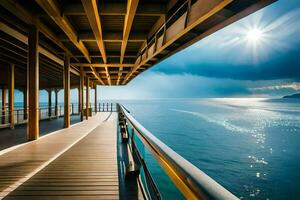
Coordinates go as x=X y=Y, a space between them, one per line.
x=250 y=146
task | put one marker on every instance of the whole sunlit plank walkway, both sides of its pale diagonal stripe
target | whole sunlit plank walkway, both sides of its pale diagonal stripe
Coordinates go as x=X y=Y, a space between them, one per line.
x=75 y=163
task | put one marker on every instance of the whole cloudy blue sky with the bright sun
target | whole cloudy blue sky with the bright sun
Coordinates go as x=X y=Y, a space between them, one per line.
x=257 y=56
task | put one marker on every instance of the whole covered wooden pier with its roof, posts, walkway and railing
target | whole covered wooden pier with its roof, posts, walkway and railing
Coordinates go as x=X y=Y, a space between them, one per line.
x=55 y=45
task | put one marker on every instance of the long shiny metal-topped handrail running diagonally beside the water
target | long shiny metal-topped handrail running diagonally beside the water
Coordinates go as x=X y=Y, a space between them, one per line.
x=192 y=182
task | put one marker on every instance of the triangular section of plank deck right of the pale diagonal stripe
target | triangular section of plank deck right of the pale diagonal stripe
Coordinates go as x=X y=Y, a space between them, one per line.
x=87 y=170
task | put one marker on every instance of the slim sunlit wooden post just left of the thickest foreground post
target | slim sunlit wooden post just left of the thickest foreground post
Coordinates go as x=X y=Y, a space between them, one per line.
x=12 y=96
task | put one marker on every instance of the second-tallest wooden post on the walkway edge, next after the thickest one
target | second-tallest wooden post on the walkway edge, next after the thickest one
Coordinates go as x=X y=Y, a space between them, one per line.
x=67 y=92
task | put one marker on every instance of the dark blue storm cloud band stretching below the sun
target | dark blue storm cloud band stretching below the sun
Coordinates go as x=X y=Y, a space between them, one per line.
x=287 y=67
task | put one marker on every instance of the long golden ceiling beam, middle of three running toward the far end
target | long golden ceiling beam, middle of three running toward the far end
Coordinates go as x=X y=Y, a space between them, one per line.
x=91 y=10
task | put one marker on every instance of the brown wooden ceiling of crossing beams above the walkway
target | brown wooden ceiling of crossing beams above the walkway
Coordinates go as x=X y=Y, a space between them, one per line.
x=113 y=40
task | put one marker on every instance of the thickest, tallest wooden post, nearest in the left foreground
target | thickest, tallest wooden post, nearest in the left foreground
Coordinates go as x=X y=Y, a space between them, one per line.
x=33 y=83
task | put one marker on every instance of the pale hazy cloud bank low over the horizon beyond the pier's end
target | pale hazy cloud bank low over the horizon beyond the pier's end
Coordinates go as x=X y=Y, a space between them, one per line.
x=161 y=85
